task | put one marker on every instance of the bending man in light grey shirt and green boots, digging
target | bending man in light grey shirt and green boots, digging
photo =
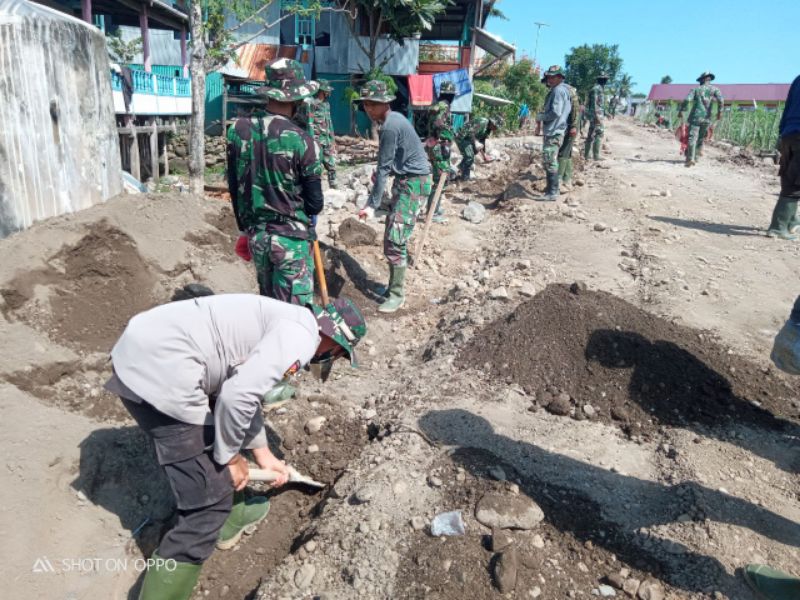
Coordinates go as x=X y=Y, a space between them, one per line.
x=193 y=374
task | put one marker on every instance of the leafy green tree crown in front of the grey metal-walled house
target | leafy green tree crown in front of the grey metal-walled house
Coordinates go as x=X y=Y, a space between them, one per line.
x=396 y=19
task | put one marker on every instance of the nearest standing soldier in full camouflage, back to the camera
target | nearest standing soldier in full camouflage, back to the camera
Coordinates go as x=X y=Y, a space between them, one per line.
x=274 y=176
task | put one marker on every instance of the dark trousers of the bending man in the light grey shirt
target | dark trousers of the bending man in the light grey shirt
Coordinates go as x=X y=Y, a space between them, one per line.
x=203 y=490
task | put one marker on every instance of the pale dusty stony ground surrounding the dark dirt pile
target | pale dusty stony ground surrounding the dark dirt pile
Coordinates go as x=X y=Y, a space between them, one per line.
x=686 y=505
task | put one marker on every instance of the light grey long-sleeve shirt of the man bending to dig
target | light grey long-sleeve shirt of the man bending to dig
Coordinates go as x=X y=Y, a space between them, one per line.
x=235 y=347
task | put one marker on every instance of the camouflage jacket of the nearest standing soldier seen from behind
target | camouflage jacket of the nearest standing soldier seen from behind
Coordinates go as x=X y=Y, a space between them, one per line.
x=270 y=160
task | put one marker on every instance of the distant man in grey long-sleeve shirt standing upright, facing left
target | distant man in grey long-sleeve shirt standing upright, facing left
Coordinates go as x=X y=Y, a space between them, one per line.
x=554 y=116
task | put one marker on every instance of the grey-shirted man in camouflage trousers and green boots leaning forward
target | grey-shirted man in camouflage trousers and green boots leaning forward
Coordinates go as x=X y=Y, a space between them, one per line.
x=401 y=153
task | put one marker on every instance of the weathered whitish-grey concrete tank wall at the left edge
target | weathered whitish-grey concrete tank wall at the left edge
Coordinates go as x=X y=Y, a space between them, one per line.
x=59 y=150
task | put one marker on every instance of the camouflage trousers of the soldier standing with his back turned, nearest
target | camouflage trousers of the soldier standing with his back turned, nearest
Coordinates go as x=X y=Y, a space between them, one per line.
x=284 y=267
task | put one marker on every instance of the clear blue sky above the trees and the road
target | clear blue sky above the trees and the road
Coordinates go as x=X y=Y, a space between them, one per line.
x=741 y=41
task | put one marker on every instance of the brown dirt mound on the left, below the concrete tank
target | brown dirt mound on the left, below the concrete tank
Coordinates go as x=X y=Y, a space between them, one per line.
x=88 y=291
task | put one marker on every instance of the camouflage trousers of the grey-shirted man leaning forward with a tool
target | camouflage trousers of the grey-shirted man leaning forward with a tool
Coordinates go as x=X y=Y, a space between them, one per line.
x=408 y=196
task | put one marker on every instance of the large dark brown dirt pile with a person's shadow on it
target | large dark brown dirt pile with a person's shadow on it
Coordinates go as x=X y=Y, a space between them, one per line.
x=591 y=355
